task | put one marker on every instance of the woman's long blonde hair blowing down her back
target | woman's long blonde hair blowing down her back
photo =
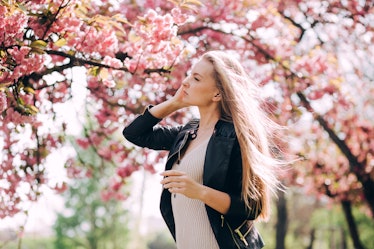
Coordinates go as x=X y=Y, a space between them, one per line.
x=241 y=105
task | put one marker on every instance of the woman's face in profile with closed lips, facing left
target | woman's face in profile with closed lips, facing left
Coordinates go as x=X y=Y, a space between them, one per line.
x=199 y=87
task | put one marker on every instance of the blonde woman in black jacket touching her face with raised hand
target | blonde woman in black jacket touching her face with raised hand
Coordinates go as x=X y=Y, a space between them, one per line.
x=220 y=171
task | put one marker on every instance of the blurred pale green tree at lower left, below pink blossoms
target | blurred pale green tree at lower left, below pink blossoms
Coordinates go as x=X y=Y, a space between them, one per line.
x=87 y=221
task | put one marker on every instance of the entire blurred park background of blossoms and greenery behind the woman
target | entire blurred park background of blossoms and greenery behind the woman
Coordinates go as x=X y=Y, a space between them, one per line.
x=73 y=73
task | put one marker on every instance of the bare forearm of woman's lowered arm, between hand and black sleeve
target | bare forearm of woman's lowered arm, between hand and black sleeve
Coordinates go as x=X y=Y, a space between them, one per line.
x=219 y=201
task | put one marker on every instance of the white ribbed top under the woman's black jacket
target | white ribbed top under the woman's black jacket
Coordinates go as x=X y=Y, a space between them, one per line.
x=193 y=230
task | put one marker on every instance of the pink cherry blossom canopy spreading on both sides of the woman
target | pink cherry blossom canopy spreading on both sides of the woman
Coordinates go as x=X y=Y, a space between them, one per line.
x=313 y=58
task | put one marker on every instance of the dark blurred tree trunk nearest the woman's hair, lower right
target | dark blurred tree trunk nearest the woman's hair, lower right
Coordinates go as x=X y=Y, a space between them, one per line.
x=282 y=221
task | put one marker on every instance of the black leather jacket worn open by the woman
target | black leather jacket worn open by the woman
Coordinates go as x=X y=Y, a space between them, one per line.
x=222 y=171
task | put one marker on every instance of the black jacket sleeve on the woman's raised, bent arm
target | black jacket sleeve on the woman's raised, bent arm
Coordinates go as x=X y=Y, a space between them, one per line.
x=144 y=132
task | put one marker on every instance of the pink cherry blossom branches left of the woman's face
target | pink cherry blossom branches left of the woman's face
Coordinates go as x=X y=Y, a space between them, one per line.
x=125 y=52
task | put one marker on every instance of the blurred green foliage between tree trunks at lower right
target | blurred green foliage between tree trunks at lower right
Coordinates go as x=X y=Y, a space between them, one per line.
x=327 y=220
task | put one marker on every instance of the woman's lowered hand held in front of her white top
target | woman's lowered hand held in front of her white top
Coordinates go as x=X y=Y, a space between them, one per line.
x=179 y=182
